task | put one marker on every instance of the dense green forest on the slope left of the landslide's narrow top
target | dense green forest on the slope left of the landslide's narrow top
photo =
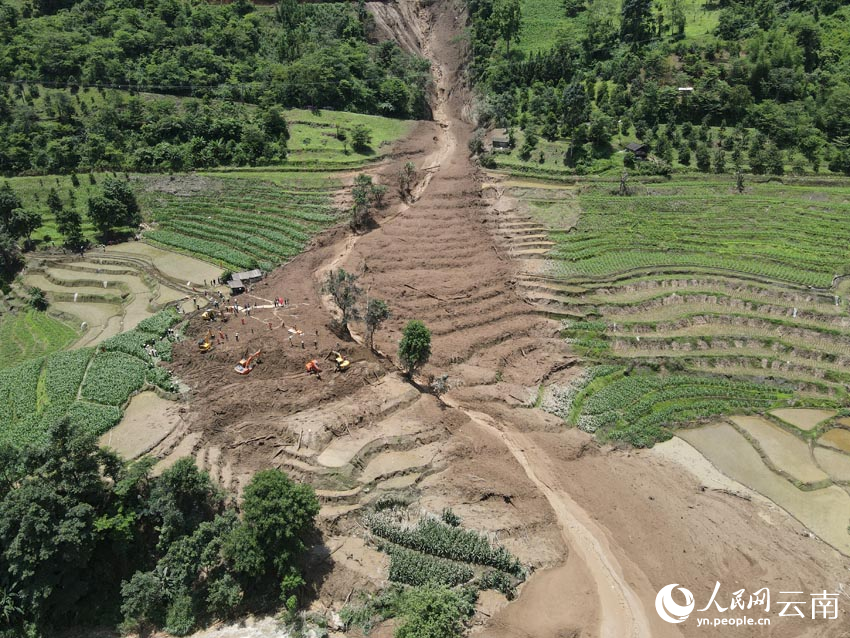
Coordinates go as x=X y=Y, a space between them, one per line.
x=226 y=69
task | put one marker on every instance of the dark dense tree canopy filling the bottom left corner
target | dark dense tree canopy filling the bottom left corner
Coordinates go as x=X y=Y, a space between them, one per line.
x=86 y=538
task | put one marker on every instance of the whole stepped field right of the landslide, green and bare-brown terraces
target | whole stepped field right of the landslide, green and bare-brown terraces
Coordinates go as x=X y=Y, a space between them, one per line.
x=684 y=288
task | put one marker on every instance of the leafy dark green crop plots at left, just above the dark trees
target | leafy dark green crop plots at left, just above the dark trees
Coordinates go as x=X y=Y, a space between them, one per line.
x=88 y=385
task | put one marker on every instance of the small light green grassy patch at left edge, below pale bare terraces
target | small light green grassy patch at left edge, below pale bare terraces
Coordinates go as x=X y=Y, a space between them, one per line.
x=30 y=334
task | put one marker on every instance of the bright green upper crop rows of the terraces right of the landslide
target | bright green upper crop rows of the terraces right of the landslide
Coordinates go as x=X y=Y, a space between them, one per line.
x=797 y=235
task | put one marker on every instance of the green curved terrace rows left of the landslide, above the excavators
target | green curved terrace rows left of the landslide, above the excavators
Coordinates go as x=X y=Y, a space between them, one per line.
x=240 y=223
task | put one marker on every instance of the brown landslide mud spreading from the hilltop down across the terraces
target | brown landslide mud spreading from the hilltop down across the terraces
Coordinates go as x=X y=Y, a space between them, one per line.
x=603 y=529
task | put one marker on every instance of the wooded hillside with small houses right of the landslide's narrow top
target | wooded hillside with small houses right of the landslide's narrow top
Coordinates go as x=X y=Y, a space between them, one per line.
x=726 y=85
